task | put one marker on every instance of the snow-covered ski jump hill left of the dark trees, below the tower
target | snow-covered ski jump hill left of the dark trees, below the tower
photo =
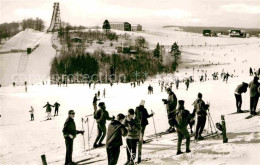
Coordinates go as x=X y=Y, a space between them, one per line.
x=37 y=66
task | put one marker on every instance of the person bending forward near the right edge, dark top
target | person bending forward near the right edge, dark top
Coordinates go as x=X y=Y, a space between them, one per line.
x=242 y=88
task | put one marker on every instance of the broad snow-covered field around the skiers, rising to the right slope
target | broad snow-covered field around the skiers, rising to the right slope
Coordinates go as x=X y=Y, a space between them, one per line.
x=23 y=141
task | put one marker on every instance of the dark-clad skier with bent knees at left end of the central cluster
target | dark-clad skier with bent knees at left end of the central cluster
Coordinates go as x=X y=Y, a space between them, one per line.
x=101 y=116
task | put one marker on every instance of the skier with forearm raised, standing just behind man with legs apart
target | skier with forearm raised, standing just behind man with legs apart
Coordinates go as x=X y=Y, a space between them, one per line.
x=171 y=104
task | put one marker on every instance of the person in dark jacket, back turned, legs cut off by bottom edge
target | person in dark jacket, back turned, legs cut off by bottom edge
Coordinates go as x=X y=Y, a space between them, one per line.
x=114 y=139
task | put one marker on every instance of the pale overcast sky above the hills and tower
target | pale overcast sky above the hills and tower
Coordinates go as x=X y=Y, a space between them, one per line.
x=235 y=13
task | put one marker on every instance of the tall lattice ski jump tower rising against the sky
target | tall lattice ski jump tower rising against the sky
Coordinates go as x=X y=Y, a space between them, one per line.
x=55 y=20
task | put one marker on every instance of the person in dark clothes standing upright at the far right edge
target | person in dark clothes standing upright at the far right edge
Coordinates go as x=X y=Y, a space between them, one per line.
x=254 y=95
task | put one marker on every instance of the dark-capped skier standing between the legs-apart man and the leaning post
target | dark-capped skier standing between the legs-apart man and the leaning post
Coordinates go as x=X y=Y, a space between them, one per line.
x=200 y=109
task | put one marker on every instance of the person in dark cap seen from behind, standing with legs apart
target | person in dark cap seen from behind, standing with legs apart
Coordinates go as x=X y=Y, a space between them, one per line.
x=183 y=118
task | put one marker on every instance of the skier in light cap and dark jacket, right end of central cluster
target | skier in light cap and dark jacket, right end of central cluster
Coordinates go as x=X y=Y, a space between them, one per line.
x=142 y=114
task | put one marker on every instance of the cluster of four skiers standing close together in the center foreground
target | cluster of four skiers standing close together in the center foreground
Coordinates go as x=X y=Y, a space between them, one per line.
x=132 y=126
